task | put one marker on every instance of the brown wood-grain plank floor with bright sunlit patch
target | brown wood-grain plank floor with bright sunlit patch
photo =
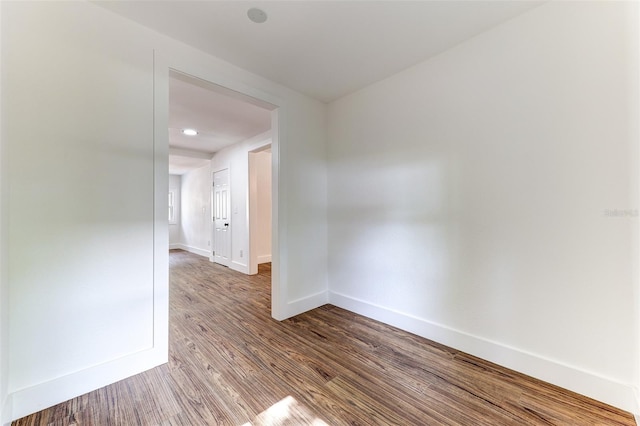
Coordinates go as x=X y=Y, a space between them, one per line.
x=232 y=364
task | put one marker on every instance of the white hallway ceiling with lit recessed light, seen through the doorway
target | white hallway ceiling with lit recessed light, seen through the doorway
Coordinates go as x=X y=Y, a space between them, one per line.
x=221 y=120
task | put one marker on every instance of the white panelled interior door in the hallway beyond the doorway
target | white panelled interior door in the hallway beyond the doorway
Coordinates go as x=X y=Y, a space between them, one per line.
x=221 y=222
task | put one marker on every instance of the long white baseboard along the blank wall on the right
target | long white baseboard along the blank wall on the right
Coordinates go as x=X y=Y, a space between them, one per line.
x=621 y=395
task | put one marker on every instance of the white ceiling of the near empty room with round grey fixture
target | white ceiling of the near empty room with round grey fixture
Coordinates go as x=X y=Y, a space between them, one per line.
x=325 y=49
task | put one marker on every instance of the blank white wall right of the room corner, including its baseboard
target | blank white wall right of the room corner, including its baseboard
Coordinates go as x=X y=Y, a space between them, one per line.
x=487 y=198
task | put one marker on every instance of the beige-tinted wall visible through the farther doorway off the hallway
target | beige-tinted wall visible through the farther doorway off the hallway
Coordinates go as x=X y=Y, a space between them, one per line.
x=262 y=163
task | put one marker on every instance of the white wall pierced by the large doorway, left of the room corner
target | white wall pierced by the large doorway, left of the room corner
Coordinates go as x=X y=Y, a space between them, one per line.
x=80 y=115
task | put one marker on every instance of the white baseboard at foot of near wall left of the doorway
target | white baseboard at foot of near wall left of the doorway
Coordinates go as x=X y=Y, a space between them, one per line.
x=36 y=398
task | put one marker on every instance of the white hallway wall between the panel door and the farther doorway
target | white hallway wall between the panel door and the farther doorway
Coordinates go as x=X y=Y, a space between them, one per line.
x=236 y=159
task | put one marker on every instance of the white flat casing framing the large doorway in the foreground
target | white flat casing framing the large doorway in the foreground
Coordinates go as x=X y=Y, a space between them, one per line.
x=163 y=65
